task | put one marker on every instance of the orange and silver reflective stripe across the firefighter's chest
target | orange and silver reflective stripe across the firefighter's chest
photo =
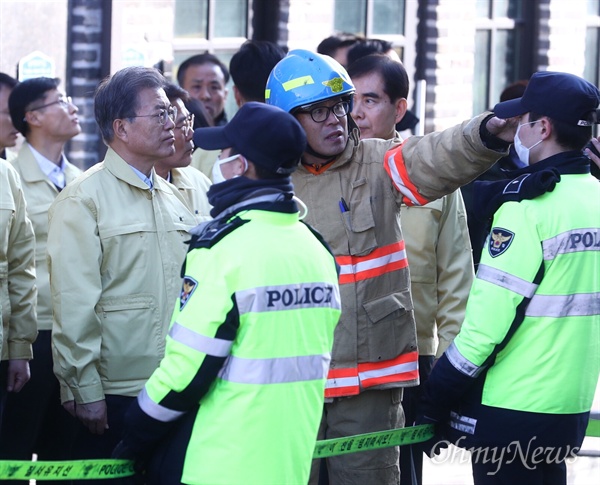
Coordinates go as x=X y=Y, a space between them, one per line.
x=380 y=261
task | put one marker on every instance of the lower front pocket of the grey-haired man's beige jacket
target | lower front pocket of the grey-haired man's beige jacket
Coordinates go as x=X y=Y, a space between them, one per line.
x=132 y=337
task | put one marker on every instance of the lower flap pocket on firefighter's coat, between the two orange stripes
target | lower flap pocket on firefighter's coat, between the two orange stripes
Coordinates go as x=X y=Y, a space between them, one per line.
x=390 y=326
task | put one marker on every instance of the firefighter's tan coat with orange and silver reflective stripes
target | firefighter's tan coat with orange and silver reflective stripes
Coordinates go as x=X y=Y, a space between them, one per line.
x=375 y=343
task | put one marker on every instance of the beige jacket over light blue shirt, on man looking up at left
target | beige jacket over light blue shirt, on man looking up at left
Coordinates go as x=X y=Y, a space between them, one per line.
x=40 y=192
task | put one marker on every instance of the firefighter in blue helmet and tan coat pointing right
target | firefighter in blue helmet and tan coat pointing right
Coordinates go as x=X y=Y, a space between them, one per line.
x=354 y=190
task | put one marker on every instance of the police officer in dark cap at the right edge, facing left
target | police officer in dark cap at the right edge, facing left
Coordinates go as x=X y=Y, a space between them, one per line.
x=519 y=379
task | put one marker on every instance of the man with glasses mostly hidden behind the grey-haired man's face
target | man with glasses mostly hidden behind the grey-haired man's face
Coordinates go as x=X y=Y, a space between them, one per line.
x=191 y=182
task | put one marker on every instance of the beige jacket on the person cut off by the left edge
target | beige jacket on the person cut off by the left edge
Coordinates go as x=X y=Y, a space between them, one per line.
x=18 y=294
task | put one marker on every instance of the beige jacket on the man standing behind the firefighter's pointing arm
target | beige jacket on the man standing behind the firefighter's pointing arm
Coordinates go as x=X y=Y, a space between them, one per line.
x=441 y=269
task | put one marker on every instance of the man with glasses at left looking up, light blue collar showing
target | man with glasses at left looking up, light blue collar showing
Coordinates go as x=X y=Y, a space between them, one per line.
x=33 y=420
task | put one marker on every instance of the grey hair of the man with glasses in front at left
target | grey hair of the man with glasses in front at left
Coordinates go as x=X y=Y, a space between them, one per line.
x=117 y=97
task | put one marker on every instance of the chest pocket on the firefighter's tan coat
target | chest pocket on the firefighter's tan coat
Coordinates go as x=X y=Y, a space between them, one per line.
x=359 y=221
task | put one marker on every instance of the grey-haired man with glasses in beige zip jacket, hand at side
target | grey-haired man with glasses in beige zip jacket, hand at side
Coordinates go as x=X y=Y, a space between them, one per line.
x=115 y=249
